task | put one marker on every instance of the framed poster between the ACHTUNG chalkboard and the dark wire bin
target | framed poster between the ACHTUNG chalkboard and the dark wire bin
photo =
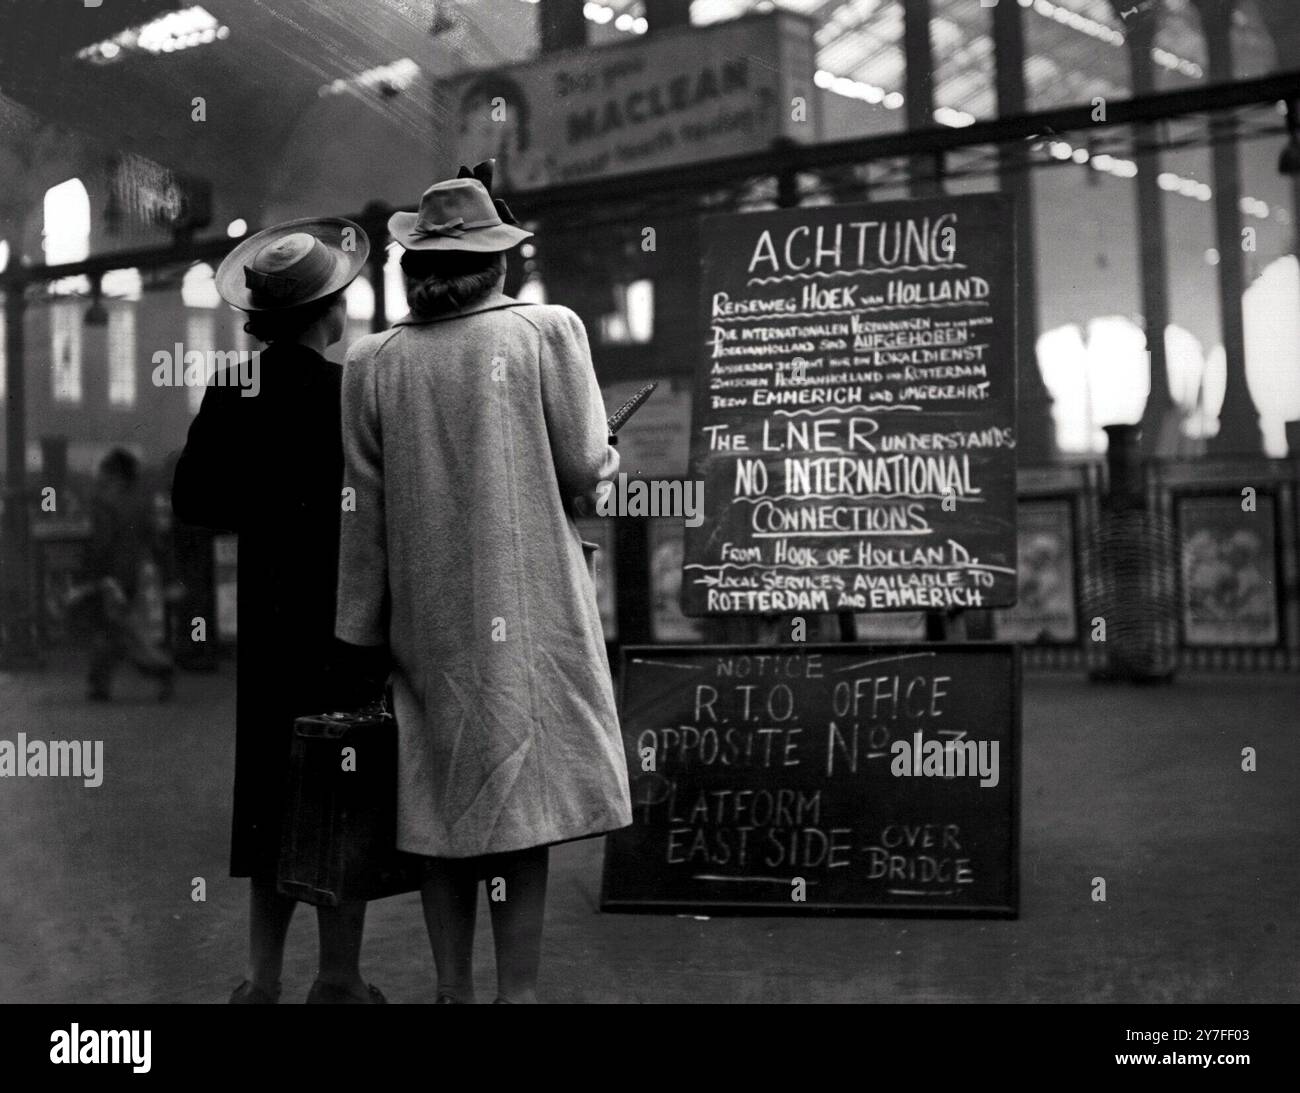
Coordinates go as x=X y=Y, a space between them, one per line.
x=1047 y=609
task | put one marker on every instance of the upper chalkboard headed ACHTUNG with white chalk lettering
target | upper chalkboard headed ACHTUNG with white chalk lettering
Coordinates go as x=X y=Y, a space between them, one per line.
x=855 y=410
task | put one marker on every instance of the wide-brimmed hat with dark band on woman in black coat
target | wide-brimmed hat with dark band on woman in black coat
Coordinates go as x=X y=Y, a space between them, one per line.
x=293 y=264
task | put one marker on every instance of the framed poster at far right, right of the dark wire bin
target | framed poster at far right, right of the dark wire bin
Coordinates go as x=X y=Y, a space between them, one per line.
x=1229 y=571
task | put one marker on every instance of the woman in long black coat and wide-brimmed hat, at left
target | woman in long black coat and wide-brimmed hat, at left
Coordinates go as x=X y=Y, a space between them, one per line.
x=267 y=462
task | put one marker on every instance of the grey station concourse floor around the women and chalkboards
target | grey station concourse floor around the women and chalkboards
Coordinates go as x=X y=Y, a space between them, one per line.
x=1139 y=786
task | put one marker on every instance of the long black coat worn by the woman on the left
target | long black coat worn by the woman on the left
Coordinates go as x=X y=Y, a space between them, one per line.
x=270 y=467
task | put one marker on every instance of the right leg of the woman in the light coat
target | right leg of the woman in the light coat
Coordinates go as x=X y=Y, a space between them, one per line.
x=517 y=921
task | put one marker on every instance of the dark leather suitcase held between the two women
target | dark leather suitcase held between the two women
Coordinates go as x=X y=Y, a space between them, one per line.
x=339 y=842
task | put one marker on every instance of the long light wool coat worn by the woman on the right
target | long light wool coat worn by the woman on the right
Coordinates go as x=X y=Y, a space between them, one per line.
x=466 y=439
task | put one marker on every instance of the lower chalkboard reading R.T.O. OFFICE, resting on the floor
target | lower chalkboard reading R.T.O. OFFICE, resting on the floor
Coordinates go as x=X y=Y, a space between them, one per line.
x=817 y=779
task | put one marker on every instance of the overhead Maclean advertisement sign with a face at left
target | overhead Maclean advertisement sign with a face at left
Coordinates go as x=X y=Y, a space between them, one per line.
x=673 y=98
